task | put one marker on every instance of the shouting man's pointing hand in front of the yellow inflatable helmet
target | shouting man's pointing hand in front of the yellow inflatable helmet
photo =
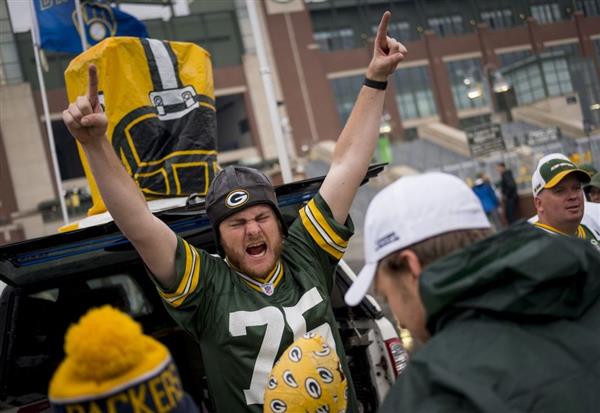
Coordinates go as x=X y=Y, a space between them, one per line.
x=84 y=118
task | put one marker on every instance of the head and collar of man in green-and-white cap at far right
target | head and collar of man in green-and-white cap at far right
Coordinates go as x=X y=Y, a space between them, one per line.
x=558 y=198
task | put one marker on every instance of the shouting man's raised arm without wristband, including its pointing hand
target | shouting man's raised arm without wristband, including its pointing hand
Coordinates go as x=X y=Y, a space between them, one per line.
x=151 y=237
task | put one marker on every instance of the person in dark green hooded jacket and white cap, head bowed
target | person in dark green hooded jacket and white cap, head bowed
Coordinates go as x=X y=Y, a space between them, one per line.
x=510 y=323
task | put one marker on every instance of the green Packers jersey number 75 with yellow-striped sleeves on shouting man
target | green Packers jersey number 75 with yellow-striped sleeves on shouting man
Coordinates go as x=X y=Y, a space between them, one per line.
x=244 y=324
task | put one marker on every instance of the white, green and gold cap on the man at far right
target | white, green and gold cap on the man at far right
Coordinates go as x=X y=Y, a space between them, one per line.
x=551 y=169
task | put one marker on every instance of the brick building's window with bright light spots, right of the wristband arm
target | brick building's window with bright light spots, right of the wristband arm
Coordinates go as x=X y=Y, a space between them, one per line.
x=470 y=89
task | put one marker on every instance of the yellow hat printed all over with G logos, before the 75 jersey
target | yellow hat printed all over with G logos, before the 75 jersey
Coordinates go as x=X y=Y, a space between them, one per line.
x=307 y=378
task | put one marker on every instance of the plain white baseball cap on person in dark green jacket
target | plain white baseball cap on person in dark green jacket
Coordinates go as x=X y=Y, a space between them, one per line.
x=413 y=209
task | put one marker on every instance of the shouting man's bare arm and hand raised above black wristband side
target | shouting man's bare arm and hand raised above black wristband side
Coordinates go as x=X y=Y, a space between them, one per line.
x=356 y=143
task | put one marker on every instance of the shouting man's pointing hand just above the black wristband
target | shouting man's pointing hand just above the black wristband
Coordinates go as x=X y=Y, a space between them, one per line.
x=387 y=52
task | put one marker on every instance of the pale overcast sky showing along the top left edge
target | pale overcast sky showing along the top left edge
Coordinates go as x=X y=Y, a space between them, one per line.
x=21 y=18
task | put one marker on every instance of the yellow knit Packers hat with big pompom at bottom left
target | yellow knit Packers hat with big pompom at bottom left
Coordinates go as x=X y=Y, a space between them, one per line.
x=111 y=366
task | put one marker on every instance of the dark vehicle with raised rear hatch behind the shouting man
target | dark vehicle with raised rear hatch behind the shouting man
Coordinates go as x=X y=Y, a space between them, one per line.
x=48 y=283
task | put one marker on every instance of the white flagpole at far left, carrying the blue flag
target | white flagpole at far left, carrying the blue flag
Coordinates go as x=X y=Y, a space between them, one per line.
x=36 y=52
